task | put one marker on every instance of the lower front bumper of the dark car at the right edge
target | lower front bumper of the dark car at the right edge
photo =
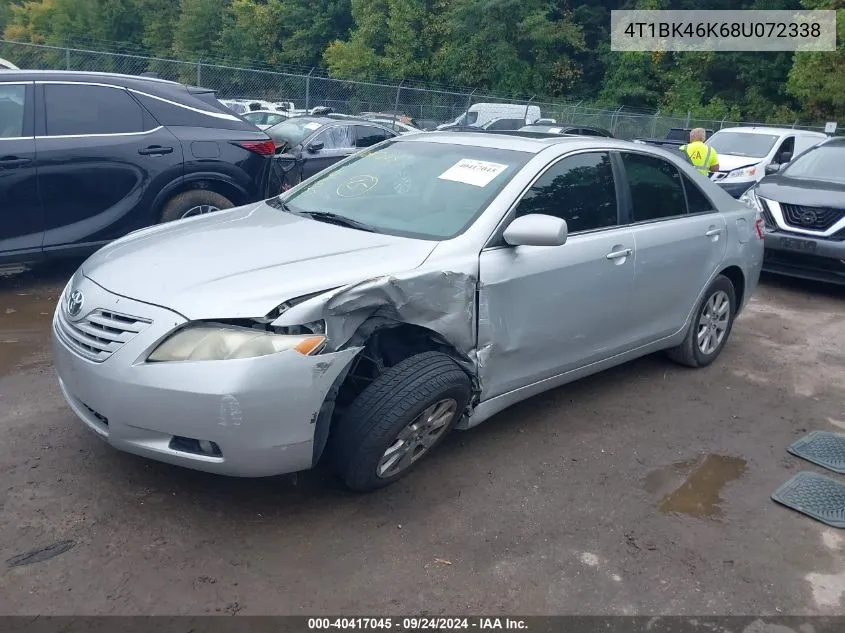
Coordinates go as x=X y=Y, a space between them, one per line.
x=805 y=257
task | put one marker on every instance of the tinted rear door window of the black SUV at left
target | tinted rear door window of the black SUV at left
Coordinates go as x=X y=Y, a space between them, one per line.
x=83 y=109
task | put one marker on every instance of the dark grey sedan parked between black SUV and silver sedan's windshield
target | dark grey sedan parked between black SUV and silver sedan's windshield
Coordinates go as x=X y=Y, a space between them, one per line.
x=307 y=145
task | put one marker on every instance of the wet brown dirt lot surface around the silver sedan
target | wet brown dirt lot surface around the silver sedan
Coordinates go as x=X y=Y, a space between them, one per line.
x=642 y=490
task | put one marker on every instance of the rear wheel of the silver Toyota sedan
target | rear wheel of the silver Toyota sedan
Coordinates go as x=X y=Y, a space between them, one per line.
x=710 y=328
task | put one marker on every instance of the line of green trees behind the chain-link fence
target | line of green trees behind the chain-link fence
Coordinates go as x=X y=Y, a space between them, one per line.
x=553 y=49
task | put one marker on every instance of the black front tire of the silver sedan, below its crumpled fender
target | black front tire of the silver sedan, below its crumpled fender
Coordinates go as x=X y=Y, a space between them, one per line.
x=386 y=408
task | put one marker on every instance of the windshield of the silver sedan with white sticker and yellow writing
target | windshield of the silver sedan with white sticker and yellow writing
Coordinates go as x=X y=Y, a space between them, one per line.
x=417 y=189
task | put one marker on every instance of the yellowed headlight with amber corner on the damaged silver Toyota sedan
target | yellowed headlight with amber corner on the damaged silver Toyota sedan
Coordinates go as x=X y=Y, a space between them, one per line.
x=209 y=342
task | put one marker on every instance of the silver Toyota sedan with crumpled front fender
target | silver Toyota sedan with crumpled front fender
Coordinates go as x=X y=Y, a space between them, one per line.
x=421 y=285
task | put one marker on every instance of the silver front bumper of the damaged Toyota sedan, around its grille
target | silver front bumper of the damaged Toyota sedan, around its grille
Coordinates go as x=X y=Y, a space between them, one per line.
x=261 y=412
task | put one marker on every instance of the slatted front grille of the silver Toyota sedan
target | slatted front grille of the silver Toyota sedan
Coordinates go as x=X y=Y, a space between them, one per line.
x=100 y=334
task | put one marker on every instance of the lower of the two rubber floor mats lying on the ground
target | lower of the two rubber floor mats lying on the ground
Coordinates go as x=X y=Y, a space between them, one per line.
x=815 y=495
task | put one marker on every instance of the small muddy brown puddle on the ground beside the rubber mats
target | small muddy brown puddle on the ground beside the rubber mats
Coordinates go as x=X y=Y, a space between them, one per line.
x=699 y=491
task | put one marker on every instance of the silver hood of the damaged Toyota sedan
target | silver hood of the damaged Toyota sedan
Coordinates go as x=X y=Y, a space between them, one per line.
x=245 y=262
